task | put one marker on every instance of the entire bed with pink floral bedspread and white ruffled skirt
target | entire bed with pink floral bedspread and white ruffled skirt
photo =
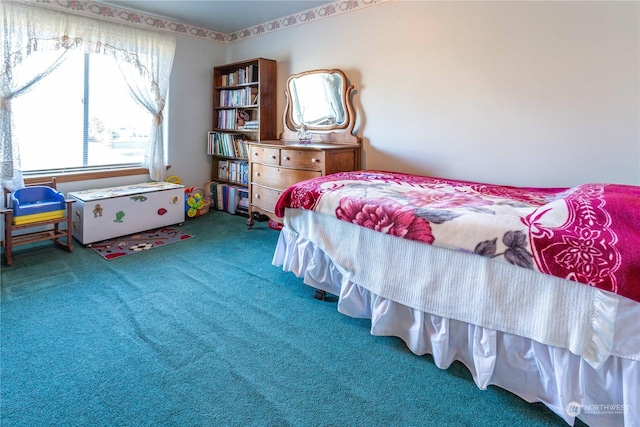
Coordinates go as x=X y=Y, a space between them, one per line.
x=535 y=290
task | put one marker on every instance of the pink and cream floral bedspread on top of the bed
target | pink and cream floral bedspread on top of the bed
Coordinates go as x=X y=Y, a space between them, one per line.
x=588 y=234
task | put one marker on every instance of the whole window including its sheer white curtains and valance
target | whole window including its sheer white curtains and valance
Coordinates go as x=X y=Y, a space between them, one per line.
x=56 y=131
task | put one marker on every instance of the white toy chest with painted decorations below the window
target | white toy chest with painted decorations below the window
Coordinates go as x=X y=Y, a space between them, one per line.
x=105 y=213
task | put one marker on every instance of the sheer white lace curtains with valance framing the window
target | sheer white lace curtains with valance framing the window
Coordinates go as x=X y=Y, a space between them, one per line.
x=144 y=57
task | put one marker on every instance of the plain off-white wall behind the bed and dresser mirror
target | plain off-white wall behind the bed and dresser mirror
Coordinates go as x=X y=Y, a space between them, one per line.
x=520 y=93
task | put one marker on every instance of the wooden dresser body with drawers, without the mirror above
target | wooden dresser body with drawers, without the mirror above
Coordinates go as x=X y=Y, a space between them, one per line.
x=276 y=165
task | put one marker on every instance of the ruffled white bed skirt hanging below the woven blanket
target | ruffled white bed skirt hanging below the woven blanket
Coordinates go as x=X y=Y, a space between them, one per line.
x=563 y=381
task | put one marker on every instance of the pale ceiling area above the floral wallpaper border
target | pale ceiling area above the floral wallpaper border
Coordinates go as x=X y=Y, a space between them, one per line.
x=222 y=16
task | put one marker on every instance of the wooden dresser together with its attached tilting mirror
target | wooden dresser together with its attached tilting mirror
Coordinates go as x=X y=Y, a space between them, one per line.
x=317 y=139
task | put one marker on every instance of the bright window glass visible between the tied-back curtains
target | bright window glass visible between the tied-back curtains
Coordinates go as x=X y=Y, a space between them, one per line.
x=79 y=117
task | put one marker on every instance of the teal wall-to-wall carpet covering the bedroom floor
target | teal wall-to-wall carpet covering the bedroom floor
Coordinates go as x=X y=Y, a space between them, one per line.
x=207 y=332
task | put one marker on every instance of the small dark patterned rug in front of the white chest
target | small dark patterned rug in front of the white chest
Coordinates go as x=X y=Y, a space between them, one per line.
x=135 y=243
